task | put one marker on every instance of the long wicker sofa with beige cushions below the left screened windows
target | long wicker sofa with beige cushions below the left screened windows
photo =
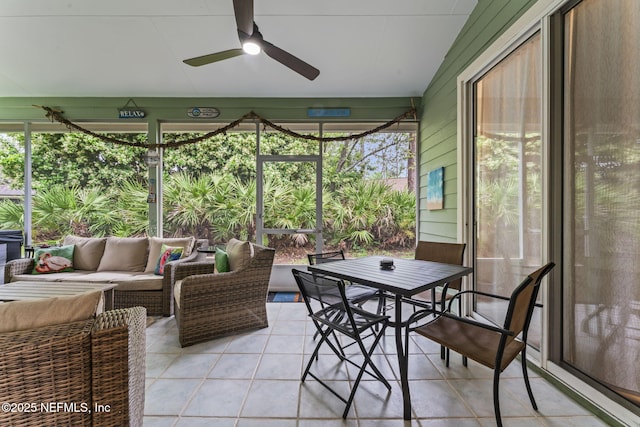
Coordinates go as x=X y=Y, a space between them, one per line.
x=128 y=262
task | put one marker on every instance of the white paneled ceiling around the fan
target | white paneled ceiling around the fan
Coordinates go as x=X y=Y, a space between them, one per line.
x=86 y=48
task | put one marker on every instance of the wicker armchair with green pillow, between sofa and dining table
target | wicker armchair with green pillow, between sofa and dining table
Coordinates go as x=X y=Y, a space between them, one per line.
x=211 y=305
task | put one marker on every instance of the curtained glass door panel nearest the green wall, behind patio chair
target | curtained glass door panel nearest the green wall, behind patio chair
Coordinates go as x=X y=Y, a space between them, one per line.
x=507 y=187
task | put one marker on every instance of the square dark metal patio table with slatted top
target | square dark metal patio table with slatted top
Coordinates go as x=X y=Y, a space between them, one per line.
x=407 y=278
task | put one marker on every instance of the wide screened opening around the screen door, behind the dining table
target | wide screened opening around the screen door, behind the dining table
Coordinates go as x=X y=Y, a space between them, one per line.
x=225 y=186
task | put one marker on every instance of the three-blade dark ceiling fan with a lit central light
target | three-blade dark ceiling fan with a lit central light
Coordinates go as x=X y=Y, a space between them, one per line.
x=252 y=43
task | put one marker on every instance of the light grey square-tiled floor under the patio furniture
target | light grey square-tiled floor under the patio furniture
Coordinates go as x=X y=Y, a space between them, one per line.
x=253 y=380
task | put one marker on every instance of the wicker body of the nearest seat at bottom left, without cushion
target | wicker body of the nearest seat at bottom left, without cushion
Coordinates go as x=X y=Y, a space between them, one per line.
x=86 y=373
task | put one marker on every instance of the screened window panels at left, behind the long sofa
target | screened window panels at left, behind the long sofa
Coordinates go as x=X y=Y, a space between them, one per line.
x=77 y=182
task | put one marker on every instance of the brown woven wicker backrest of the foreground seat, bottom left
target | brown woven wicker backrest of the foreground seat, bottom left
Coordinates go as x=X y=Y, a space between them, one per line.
x=49 y=364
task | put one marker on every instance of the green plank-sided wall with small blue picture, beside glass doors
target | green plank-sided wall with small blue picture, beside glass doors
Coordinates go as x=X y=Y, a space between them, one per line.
x=438 y=118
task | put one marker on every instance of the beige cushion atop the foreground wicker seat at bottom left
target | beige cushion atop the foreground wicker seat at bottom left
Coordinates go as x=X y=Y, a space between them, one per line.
x=24 y=315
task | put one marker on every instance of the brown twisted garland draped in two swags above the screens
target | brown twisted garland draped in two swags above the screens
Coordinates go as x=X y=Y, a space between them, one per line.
x=57 y=116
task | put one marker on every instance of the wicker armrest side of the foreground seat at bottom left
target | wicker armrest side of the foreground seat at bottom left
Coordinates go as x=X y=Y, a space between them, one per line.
x=118 y=366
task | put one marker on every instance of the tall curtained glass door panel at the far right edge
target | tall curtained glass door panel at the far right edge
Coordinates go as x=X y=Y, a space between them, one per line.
x=601 y=292
